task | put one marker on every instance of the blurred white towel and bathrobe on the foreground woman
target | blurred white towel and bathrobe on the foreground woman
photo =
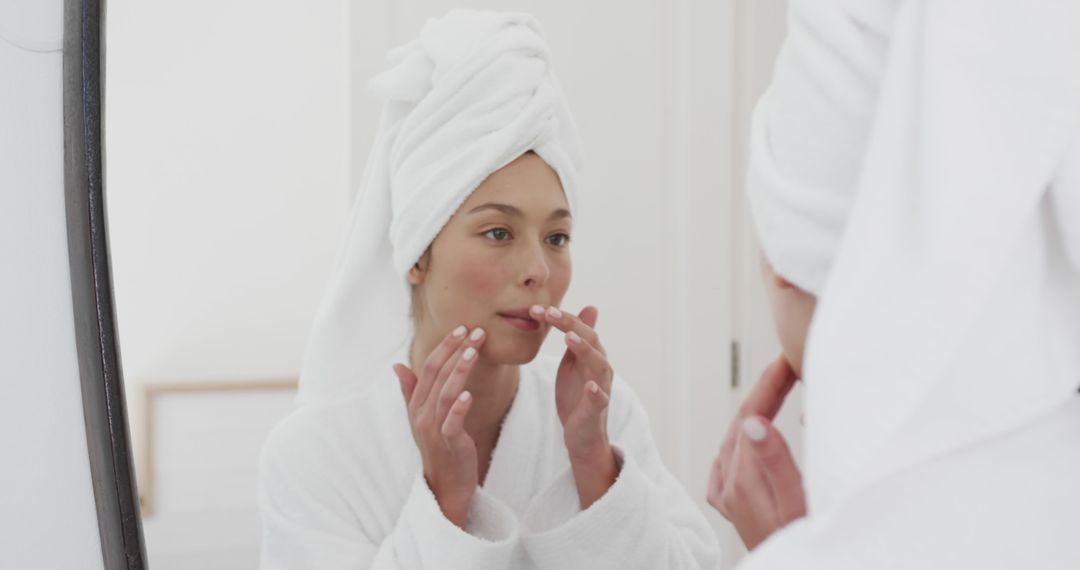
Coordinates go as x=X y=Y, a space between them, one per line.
x=917 y=165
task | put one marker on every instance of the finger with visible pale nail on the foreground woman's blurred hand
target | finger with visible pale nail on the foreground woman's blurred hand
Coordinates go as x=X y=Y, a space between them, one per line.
x=778 y=466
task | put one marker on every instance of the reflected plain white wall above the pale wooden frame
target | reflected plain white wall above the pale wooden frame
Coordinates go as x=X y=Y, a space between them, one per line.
x=227 y=141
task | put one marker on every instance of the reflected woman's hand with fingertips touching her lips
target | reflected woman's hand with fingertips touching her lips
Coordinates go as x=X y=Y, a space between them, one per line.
x=583 y=391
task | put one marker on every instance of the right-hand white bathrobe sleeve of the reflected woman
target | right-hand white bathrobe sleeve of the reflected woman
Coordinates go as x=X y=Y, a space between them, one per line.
x=645 y=521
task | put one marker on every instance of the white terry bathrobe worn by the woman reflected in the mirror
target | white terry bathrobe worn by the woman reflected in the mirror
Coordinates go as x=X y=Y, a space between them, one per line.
x=341 y=486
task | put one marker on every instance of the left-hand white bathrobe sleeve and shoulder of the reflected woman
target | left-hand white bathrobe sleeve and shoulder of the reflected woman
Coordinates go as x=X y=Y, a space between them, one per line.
x=317 y=514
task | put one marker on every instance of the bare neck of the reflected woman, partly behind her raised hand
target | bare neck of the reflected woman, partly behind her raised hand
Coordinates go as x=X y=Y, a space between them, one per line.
x=492 y=386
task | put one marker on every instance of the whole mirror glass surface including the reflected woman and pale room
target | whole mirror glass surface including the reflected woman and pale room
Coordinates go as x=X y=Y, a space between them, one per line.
x=484 y=300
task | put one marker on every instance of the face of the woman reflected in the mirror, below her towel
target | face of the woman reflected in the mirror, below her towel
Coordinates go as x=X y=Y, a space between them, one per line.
x=506 y=250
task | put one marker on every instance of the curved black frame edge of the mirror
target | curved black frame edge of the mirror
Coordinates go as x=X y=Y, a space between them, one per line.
x=103 y=392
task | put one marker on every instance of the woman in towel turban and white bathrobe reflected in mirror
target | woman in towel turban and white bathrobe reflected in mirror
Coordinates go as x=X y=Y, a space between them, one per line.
x=479 y=454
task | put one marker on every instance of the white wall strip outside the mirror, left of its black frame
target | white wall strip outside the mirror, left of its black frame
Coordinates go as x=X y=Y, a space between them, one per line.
x=48 y=518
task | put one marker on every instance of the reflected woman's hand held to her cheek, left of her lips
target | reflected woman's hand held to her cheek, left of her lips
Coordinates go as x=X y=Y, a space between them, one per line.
x=438 y=404
